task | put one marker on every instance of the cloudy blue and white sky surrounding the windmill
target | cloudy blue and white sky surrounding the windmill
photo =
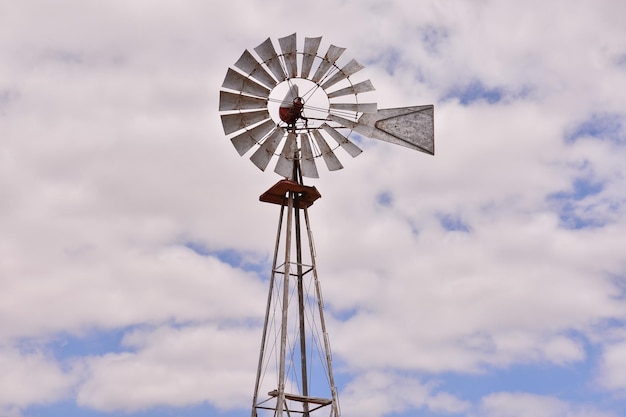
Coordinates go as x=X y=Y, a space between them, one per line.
x=488 y=280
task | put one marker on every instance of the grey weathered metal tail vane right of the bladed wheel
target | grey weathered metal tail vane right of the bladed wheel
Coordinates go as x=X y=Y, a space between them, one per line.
x=412 y=127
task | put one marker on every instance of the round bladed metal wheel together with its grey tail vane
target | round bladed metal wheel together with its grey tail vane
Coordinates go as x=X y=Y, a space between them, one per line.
x=300 y=106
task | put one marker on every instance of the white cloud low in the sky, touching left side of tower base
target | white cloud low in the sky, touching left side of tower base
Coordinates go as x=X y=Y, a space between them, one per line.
x=173 y=367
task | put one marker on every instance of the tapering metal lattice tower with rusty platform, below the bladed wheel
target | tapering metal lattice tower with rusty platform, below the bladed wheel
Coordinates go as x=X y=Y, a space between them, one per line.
x=294 y=373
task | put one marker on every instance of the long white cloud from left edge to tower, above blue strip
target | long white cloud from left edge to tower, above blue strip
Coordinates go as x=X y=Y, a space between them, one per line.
x=136 y=286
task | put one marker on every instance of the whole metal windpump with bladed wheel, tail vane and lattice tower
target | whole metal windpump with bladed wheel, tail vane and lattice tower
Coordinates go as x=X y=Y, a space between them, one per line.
x=296 y=107
